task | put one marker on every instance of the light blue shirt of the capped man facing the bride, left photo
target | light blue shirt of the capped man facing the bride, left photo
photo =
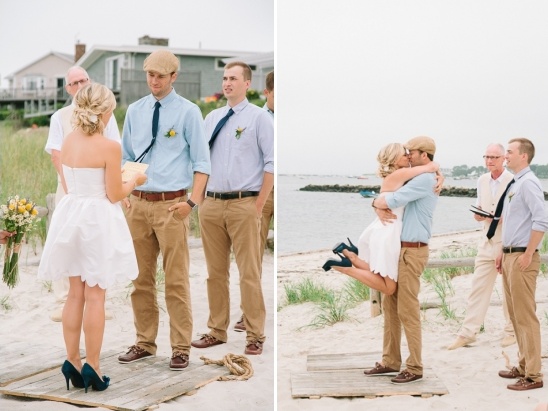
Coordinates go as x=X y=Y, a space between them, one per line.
x=172 y=160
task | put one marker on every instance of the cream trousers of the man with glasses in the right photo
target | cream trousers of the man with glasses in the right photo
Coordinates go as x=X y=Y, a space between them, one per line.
x=485 y=275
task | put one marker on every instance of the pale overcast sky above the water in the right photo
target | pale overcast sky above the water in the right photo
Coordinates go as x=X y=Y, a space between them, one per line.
x=354 y=76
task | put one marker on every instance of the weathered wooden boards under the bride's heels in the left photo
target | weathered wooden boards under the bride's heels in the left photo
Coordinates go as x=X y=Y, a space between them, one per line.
x=133 y=387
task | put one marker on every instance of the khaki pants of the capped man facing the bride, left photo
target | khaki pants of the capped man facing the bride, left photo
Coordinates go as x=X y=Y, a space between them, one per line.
x=154 y=229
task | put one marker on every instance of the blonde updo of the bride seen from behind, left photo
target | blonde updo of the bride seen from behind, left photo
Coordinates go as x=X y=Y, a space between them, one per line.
x=92 y=102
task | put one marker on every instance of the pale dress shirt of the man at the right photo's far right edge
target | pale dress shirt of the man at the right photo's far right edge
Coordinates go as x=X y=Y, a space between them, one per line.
x=524 y=210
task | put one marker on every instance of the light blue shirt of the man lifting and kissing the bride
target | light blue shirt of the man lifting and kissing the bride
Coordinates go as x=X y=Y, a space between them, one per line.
x=420 y=200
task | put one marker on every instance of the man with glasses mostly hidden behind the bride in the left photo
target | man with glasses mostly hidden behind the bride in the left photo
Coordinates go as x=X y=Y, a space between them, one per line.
x=60 y=127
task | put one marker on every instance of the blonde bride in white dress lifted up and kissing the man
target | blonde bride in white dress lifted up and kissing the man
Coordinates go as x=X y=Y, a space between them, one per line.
x=379 y=245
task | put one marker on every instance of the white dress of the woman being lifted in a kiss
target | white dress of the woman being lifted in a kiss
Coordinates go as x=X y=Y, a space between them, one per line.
x=380 y=246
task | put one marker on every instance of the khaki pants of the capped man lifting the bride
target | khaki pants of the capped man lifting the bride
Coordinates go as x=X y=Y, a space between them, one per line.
x=402 y=309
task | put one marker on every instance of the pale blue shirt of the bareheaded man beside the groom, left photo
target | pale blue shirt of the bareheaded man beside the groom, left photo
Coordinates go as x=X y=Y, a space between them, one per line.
x=238 y=162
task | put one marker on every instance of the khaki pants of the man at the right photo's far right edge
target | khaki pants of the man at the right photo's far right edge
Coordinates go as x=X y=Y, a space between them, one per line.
x=519 y=288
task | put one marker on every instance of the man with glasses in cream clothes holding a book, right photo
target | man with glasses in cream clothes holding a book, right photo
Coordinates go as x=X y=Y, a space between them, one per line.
x=491 y=185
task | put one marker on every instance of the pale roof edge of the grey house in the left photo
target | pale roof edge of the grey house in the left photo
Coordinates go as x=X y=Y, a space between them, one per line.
x=96 y=51
